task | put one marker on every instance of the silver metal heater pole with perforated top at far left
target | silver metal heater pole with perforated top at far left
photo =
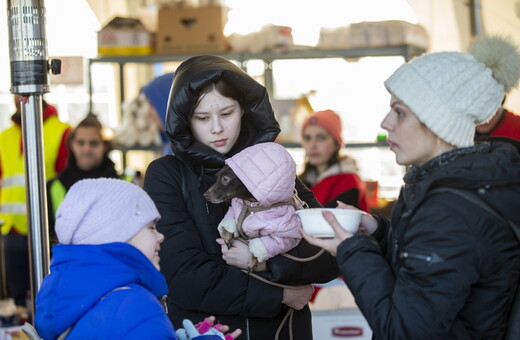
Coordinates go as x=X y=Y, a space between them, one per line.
x=29 y=79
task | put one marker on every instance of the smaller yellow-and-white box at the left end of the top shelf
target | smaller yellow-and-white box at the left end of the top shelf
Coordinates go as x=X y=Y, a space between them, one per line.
x=125 y=36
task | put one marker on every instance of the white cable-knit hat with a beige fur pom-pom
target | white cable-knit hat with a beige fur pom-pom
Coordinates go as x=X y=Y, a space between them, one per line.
x=451 y=92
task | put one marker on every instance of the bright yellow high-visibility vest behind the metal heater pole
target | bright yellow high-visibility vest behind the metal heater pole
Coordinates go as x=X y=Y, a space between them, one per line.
x=13 y=209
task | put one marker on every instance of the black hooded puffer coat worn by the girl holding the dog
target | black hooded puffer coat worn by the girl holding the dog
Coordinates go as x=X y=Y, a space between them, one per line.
x=200 y=282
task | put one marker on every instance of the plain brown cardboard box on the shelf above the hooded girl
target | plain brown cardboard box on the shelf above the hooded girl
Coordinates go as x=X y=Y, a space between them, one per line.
x=191 y=30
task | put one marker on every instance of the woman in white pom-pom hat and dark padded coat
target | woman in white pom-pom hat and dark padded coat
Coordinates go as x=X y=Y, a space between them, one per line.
x=444 y=267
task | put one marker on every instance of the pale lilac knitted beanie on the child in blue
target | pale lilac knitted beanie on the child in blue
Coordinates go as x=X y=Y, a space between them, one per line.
x=103 y=210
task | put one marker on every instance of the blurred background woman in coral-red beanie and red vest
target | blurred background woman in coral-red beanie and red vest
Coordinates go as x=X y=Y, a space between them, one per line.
x=329 y=174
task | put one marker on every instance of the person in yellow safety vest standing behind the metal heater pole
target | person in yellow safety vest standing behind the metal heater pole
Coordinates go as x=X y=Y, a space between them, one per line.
x=13 y=211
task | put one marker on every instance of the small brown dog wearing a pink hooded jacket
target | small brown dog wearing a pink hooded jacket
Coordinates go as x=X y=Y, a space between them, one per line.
x=259 y=182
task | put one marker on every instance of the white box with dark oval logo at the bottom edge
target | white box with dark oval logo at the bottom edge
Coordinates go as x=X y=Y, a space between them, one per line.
x=340 y=323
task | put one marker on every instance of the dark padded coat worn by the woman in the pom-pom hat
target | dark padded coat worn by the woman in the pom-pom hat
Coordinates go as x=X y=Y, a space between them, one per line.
x=444 y=268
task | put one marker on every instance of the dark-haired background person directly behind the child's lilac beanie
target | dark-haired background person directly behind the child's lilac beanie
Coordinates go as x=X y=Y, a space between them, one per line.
x=88 y=159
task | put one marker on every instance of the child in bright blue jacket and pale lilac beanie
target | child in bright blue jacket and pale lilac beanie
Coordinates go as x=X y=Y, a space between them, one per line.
x=104 y=280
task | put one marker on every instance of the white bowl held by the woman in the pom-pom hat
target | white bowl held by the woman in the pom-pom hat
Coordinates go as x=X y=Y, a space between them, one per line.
x=314 y=223
